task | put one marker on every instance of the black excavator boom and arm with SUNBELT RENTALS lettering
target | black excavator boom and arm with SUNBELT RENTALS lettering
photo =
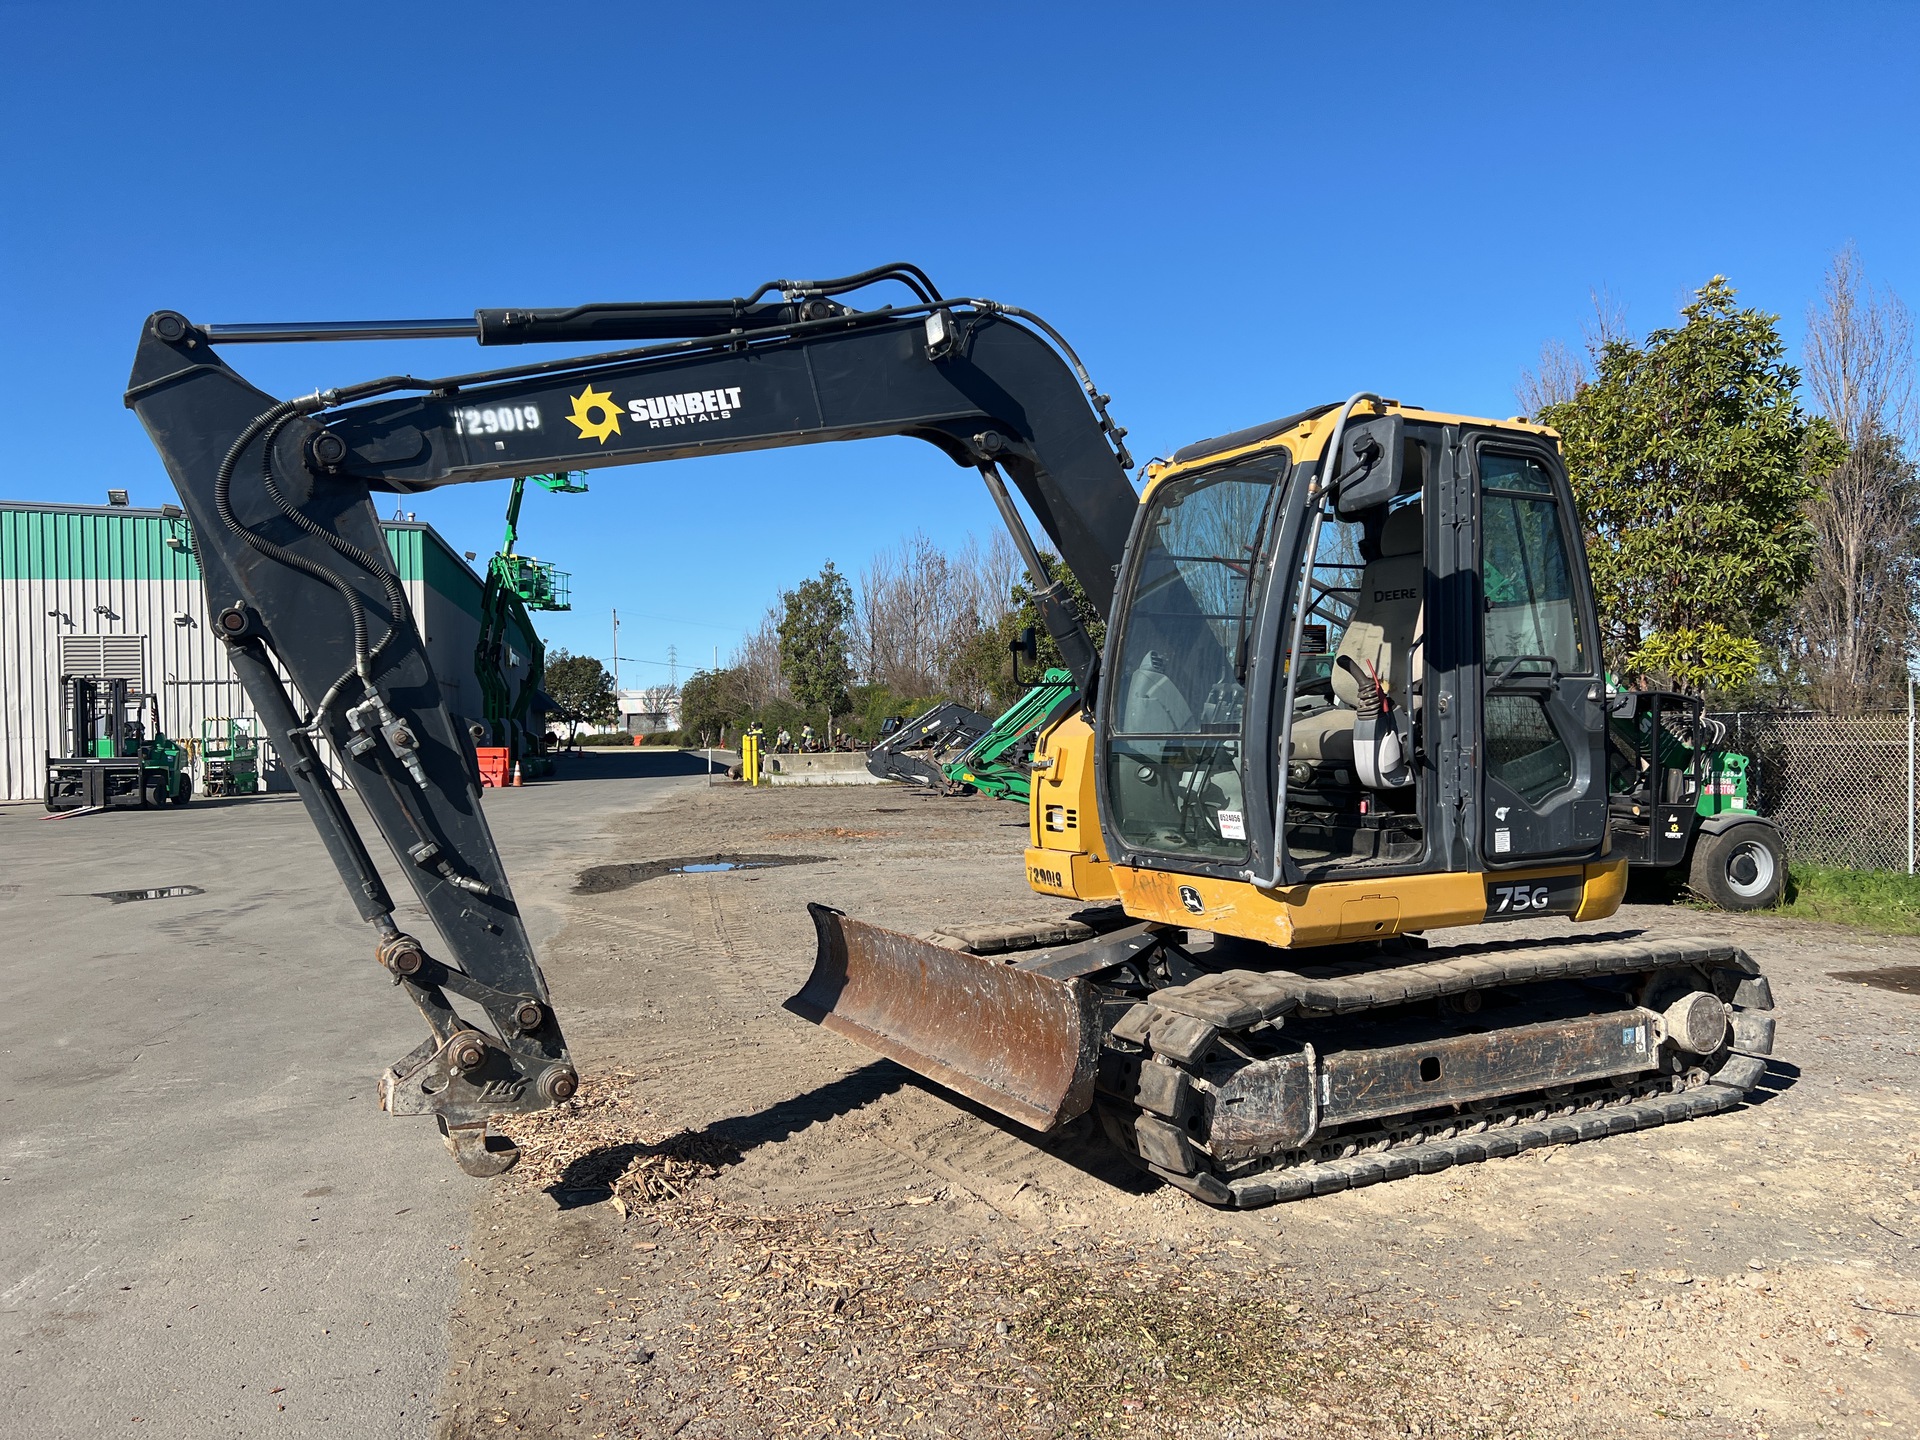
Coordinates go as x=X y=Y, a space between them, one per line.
x=318 y=623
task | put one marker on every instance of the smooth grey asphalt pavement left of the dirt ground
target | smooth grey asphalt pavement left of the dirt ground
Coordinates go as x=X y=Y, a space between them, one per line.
x=206 y=1224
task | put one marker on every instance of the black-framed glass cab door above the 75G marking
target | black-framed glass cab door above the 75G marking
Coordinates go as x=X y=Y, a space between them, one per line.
x=1543 y=696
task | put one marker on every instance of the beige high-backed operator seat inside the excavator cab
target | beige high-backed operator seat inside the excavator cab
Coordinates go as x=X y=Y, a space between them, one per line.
x=1385 y=633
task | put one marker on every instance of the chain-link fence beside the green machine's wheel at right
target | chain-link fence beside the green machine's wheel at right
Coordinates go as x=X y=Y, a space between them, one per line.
x=1840 y=788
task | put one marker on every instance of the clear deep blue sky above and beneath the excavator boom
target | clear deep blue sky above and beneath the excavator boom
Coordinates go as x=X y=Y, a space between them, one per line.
x=1232 y=212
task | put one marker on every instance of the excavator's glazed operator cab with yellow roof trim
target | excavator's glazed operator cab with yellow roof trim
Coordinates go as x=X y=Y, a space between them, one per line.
x=1307 y=684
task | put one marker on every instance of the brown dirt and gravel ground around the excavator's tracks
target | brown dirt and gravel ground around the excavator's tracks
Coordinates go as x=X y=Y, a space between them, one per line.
x=752 y=1228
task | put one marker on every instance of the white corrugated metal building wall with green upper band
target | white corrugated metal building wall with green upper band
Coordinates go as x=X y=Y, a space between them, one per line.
x=110 y=571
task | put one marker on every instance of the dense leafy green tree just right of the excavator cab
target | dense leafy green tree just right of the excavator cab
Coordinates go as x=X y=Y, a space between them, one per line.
x=1691 y=460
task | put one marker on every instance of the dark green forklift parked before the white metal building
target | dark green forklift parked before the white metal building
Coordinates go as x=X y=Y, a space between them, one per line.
x=118 y=757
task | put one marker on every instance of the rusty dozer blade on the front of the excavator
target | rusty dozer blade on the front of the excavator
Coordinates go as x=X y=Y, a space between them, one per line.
x=1015 y=1040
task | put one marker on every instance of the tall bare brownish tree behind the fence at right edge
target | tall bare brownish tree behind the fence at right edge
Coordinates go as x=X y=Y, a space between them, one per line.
x=1856 y=631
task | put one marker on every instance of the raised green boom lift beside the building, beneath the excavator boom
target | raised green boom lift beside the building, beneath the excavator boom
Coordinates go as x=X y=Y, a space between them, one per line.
x=517 y=585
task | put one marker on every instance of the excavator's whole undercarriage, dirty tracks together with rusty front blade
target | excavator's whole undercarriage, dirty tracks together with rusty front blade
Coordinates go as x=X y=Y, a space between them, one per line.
x=1343 y=1068
